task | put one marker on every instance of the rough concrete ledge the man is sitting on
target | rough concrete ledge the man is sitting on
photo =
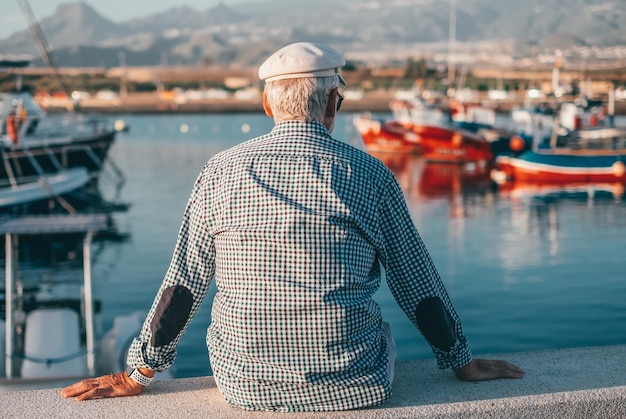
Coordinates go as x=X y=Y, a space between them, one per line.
x=572 y=383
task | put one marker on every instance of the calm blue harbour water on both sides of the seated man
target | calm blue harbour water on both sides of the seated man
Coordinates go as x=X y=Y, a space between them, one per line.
x=524 y=273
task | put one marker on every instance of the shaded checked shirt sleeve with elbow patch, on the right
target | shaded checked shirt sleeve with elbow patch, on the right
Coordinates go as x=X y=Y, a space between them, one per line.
x=414 y=281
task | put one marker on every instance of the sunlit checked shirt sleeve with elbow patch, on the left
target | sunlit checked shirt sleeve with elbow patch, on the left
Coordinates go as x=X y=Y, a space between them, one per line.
x=183 y=289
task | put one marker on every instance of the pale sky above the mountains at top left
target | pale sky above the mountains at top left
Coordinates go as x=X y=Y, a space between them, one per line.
x=12 y=19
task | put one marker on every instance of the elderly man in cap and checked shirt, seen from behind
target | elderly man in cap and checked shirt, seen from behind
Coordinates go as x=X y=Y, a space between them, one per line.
x=295 y=227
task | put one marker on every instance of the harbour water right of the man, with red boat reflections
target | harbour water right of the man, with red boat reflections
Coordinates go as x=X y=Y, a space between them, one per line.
x=527 y=267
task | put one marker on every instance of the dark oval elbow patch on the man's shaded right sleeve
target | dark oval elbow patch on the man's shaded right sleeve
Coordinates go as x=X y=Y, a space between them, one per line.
x=436 y=323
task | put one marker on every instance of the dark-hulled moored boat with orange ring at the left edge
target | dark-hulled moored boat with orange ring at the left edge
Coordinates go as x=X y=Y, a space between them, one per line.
x=46 y=161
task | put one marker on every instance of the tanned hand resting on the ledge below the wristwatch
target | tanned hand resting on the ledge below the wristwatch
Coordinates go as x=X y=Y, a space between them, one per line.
x=113 y=385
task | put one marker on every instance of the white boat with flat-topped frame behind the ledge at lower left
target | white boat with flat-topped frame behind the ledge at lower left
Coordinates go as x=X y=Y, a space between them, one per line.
x=51 y=334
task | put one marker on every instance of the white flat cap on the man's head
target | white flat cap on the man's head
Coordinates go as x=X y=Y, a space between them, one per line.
x=302 y=59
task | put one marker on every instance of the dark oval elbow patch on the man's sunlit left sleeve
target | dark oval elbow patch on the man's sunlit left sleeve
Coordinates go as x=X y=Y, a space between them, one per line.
x=171 y=315
